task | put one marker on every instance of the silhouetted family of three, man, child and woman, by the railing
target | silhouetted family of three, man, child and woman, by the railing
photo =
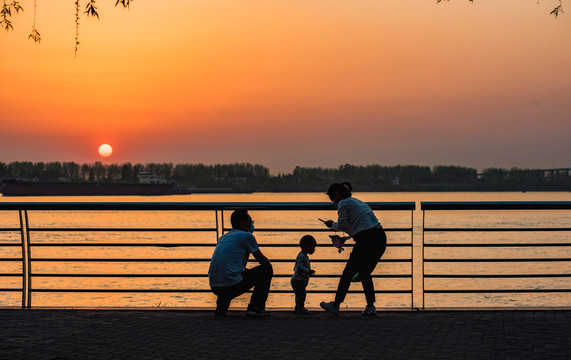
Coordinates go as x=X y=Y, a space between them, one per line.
x=229 y=277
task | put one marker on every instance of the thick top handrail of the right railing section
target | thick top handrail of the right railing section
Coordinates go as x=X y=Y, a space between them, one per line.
x=497 y=205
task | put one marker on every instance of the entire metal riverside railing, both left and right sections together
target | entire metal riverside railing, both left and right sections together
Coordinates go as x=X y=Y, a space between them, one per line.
x=29 y=233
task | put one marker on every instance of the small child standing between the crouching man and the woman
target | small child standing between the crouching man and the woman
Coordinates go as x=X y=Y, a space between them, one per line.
x=302 y=272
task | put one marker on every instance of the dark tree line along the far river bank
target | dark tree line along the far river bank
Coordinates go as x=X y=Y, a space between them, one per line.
x=254 y=177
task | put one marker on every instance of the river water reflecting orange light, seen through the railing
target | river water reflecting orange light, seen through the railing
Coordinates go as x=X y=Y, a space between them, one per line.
x=294 y=219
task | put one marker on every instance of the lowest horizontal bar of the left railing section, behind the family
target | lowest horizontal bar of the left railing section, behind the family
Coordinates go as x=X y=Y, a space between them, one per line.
x=206 y=291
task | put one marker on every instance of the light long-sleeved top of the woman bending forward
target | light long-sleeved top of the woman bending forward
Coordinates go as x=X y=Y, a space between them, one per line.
x=354 y=217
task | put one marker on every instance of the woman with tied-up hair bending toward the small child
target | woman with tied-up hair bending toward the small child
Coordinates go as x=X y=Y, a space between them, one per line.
x=358 y=220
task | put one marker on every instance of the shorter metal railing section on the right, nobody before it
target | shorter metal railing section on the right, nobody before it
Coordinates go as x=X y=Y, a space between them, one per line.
x=448 y=248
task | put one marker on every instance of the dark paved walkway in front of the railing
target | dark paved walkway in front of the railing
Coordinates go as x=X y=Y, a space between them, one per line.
x=162 y=334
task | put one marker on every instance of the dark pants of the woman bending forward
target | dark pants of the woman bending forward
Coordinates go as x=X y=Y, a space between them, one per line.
x=370 y=245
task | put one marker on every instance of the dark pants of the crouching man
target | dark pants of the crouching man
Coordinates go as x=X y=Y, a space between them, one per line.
x=259 y=277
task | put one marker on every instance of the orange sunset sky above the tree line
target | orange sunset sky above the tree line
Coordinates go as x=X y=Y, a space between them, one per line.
x=286 y=83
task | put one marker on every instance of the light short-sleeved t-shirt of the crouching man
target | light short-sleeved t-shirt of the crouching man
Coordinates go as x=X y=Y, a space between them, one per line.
x=230 y=257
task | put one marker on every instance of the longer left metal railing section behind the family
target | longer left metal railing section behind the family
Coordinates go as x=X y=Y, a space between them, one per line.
x=29 y=232
